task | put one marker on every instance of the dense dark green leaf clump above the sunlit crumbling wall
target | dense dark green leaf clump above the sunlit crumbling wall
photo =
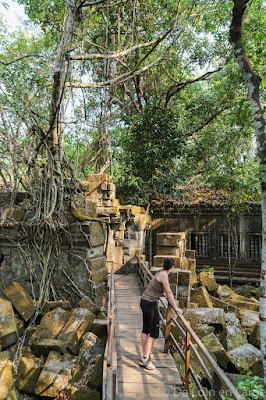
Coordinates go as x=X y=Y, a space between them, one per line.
x=149 y=146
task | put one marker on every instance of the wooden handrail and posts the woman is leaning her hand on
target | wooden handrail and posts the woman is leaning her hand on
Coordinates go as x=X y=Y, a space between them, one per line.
x=218 y=378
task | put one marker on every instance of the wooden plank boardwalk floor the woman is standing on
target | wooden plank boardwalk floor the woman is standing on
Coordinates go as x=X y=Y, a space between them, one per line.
x=134 y=381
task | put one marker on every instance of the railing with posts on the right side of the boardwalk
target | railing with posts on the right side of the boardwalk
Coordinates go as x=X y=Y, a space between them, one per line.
x=219 y=383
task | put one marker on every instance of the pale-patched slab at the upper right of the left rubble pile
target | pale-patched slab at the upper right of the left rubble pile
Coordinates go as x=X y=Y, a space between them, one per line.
x=79 y=322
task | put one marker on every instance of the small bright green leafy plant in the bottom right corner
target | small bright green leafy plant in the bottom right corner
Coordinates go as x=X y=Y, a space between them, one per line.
x=250 y=388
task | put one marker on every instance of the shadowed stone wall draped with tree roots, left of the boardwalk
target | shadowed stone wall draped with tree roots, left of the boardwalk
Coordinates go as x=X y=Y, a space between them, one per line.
x=78 y=268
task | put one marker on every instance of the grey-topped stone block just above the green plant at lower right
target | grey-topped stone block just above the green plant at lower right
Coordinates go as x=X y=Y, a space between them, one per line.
x=244 y=358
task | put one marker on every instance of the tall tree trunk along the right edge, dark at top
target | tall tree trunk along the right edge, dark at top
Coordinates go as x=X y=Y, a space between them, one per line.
x=253 y=82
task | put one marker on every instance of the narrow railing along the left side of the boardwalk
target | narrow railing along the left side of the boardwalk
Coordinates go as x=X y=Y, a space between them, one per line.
x=110 y=360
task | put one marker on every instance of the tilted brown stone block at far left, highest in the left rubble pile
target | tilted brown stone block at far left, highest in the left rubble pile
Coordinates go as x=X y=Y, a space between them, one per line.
x=21 y=300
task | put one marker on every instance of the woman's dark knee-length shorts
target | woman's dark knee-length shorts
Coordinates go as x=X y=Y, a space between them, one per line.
x=150 y=318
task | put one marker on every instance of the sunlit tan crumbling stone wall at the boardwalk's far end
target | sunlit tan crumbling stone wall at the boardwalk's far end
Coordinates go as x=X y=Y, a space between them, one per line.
x=128 y=224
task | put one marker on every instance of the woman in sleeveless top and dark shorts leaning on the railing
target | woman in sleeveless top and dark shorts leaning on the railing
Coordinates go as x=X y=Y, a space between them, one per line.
x=149 y=305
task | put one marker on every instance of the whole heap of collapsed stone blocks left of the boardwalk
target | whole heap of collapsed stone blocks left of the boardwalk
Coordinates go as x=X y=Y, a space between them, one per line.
x=61 y=354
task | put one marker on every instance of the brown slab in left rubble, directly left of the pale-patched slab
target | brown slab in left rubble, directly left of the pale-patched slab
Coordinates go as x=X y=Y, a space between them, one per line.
x=51 y=324
